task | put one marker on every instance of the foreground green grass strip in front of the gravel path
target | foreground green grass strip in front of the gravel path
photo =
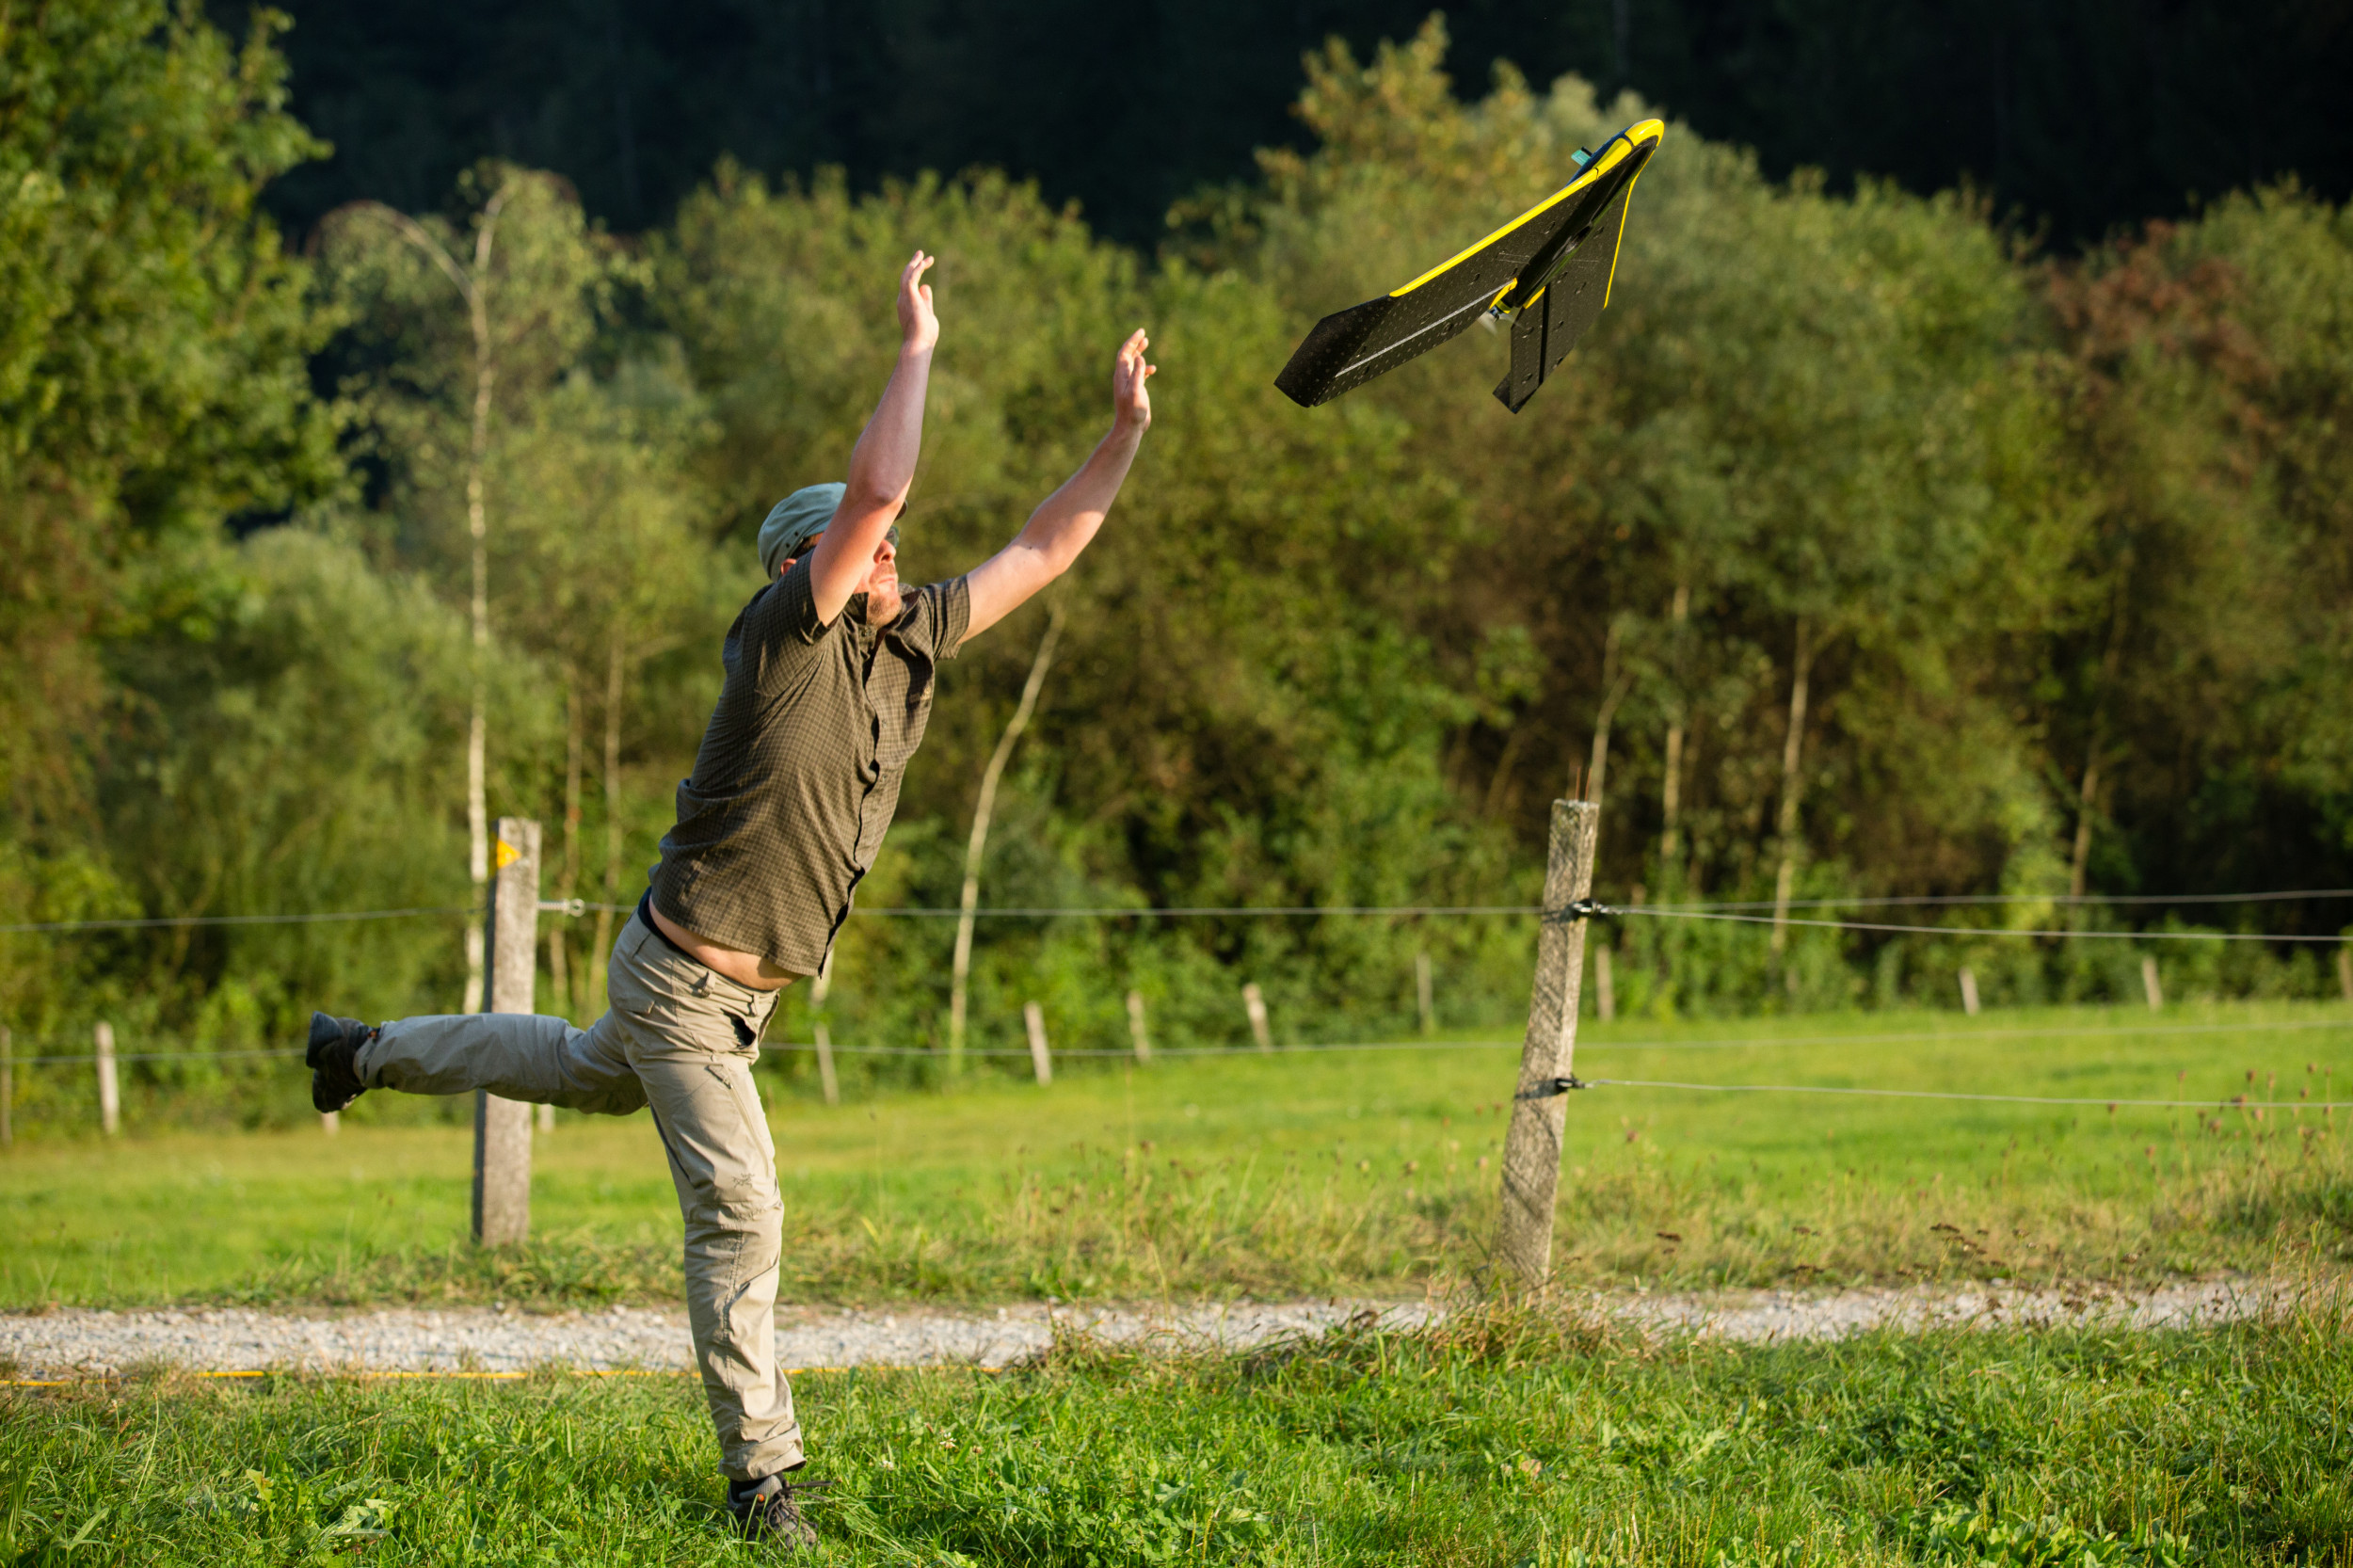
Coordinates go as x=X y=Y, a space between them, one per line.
x=1500 y=1440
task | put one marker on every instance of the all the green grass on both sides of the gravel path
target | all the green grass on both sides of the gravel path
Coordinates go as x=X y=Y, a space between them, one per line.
x=1505 y=1437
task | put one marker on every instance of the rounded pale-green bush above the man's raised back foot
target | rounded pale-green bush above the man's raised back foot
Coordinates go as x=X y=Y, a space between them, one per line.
x=305 y=679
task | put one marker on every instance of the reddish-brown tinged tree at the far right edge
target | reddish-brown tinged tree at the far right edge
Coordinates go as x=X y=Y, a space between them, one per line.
x=2197 y=705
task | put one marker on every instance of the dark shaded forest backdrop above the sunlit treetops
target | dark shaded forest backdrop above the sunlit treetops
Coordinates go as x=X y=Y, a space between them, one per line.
x=2062 y=114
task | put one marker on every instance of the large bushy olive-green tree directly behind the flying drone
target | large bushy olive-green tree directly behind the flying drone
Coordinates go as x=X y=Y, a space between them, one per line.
x=1801 y=411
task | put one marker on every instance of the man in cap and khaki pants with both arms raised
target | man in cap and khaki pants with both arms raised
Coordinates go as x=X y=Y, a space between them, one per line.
x=827 y=693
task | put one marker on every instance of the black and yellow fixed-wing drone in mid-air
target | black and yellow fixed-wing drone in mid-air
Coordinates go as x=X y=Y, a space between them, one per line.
x=1549 y=270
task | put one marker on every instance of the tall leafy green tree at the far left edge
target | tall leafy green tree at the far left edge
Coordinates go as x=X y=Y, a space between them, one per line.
x=152 y=383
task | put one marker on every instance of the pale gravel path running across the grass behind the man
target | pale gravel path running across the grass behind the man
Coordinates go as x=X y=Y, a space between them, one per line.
x=79 y=1343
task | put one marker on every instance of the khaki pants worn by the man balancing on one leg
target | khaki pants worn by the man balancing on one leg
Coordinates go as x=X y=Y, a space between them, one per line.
x=679 y=1039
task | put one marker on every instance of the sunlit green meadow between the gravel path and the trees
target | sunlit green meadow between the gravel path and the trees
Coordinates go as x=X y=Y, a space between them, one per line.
x=1300 y=1176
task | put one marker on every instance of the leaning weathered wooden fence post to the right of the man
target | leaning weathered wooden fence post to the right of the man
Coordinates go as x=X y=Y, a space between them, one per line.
x=1540 y=1108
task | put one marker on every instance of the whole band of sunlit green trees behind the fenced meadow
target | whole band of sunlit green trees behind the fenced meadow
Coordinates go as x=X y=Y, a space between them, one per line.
x=1869 y=547
